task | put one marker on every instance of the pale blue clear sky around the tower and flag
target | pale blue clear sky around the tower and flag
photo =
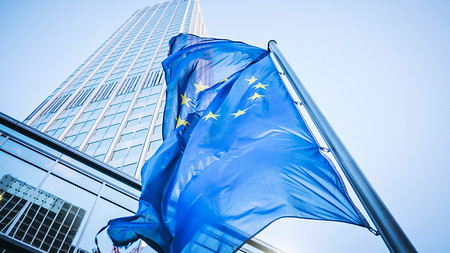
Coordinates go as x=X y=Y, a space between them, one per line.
x=378 y=70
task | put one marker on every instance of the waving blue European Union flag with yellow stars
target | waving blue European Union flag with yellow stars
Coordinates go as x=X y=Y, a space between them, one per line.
x=237 y=155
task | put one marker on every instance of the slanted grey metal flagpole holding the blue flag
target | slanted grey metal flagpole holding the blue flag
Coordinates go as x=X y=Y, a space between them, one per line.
x=391 y=232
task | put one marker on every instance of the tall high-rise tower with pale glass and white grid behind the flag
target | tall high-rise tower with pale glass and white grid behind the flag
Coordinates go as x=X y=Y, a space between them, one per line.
x=111 y=107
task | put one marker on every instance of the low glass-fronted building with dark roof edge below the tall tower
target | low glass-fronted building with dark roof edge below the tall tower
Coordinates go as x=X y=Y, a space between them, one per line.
x=54 y=198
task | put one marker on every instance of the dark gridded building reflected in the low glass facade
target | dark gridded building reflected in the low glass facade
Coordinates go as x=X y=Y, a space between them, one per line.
x=48 y=222
